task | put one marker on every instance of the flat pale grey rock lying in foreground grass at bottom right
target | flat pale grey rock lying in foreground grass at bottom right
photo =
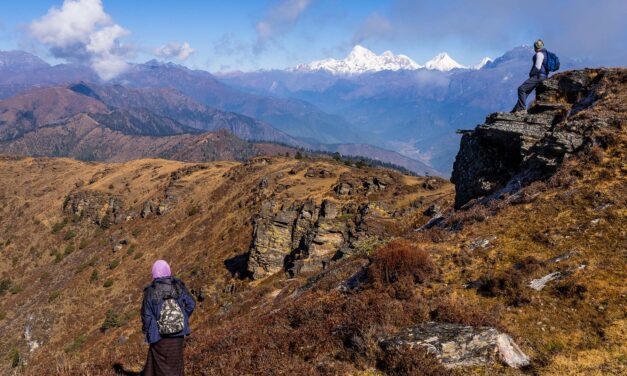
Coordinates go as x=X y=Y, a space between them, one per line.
x=458 y=345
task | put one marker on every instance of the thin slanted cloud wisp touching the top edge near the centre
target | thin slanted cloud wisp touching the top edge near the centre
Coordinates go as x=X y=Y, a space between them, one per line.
x=279 y=19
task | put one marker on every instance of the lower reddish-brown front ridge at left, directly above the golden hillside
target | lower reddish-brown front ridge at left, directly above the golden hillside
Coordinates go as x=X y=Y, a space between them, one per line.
x=84 y=138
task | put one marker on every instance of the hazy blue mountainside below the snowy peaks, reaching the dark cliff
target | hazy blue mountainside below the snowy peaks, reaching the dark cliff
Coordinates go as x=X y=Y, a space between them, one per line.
x=414 y=112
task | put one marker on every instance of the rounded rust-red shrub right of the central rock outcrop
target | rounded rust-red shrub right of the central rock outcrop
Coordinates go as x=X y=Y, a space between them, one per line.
x=398 y=259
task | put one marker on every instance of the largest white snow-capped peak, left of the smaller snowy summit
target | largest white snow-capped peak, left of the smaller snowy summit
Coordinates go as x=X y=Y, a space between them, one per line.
x=361 y=60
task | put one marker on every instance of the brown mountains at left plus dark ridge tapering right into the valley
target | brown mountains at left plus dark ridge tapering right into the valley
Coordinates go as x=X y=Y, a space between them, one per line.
x=115 y=123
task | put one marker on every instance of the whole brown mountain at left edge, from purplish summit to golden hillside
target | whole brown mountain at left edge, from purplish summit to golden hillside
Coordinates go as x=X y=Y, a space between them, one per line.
x=59 y=122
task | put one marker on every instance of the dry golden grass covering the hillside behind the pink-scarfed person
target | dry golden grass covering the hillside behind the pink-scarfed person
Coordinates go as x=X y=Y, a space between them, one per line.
x=224 y=197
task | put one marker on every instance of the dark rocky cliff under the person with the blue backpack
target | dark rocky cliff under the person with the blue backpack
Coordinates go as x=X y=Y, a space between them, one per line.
x=513 y=149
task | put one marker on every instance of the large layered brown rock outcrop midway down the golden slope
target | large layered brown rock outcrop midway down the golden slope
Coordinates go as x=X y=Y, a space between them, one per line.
x=306 y=235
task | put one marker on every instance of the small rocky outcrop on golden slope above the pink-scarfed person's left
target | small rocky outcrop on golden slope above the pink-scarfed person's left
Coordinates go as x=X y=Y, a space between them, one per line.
x=99 y=207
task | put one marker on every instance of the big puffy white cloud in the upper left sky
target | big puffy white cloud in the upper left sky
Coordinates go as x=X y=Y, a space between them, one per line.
x=82 y=31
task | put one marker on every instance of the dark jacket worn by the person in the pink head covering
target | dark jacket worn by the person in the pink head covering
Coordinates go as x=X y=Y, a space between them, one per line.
x=153 y=301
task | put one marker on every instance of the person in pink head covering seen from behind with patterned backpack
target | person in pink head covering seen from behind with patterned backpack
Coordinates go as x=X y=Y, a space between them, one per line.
x=166 y=309
